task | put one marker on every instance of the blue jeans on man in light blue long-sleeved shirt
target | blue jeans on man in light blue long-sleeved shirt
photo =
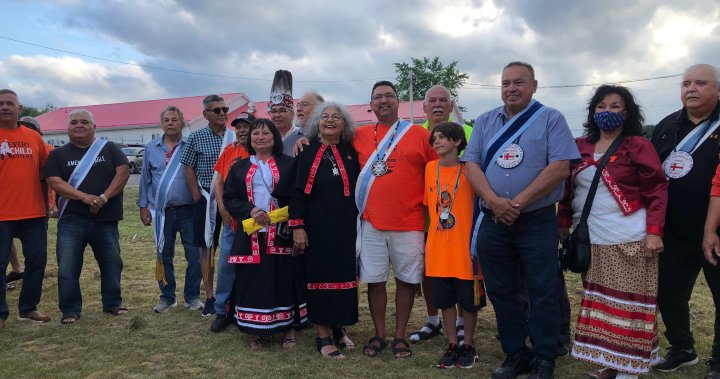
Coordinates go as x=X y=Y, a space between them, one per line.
x=180 y=219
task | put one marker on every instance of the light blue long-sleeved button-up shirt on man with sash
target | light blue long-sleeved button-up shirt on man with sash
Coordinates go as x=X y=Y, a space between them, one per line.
x=153 y=168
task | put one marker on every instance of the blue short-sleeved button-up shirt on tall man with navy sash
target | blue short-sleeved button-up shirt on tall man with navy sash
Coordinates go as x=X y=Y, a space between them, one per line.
x=547 y=140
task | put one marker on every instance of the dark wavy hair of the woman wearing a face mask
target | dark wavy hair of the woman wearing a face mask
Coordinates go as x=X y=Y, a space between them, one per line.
x=633 y=114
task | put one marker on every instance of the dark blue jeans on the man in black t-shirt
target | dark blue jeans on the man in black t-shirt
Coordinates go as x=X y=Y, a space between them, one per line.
x=73 y=235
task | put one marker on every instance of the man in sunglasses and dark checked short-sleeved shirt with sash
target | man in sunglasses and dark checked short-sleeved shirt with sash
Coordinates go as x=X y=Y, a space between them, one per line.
x=199 y=157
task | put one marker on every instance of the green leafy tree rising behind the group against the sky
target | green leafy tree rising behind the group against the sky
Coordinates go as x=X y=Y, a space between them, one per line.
x=428 y=72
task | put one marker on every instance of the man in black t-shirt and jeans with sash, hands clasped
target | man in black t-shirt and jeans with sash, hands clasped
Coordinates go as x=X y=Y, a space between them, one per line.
x=88 y=175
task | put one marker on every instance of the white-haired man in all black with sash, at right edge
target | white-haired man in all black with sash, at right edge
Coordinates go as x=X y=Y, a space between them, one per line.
x=687 y=143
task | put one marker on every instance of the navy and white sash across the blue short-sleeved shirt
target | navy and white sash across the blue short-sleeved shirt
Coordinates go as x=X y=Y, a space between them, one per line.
x=499 y=142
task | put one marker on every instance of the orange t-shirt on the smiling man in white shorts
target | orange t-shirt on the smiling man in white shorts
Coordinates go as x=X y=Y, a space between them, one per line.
x=395 y=199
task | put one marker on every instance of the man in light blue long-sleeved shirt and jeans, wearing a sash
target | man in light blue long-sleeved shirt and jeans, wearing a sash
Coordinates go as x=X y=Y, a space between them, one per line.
x=166 y=203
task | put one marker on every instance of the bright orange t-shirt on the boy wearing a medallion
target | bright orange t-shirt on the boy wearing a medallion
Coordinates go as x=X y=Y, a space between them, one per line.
x=447 y=251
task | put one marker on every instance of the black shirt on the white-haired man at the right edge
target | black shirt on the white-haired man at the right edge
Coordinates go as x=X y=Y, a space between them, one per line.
x=689 y=196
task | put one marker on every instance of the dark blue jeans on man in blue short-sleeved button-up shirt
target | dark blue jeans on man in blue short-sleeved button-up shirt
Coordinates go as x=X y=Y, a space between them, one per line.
x=531 y=245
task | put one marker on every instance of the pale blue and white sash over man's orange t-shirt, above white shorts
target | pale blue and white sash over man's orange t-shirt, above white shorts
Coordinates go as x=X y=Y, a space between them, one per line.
x=366 y=178
